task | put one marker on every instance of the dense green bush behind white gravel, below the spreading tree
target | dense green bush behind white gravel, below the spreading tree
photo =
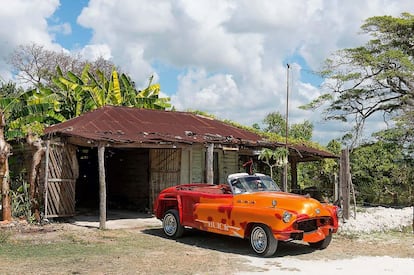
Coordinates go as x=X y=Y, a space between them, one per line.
x=382 y=174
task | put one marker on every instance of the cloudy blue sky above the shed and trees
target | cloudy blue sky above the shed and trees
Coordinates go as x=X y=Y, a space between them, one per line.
x=224 y=57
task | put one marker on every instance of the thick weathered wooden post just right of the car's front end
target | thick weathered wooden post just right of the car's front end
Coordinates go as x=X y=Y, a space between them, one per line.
x=344 y=183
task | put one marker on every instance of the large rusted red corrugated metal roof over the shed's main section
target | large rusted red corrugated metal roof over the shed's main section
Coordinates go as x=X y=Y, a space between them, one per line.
x=128 y=125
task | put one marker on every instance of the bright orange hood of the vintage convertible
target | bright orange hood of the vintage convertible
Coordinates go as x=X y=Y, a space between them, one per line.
x=280 y=200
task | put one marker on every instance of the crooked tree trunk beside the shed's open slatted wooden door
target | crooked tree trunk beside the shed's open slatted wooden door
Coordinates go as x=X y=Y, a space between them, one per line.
x=37 y=143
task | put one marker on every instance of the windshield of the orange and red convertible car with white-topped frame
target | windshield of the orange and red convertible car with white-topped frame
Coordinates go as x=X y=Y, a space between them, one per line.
x=250 y=184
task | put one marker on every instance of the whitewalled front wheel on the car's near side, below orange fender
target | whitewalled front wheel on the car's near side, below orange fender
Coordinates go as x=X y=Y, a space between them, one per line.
x=262 y=240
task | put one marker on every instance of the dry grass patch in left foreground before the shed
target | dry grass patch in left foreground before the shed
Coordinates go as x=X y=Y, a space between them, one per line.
x=108 y=252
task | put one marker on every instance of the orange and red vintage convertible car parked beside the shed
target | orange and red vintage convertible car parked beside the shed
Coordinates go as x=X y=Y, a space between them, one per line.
x=248 y=206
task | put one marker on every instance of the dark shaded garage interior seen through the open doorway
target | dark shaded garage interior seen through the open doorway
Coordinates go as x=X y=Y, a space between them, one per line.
x=127 y=179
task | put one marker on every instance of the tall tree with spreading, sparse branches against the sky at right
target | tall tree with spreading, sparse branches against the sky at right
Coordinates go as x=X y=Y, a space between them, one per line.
x=377 y=77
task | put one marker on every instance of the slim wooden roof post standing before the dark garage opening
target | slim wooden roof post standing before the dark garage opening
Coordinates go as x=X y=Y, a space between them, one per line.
x=102 y=186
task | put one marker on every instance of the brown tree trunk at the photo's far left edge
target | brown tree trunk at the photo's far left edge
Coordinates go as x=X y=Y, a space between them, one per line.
x=4 y=171
